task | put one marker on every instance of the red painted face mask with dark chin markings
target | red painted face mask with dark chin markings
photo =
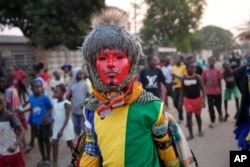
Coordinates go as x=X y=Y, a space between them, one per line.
x=113 y=66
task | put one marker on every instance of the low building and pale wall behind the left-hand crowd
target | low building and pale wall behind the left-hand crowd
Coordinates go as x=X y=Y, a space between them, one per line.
x=16 y=50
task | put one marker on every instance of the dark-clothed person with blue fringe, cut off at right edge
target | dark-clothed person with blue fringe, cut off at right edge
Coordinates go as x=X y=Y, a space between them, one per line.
x=242 y=130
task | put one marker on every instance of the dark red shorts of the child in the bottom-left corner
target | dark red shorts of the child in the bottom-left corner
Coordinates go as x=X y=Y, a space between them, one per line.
x=14 y=160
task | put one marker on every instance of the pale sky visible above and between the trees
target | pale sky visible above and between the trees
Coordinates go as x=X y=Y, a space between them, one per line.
x=228 y=14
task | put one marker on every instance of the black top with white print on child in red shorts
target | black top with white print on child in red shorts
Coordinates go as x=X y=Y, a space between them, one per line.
x=191 y=87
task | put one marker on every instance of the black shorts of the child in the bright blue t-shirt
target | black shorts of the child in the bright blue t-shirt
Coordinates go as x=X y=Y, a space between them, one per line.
x=41 y=131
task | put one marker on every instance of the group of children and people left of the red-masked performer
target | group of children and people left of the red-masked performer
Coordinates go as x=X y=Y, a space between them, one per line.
x=53 y=105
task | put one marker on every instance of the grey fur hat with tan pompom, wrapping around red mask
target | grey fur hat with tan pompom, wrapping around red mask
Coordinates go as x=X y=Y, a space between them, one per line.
x=111 y=30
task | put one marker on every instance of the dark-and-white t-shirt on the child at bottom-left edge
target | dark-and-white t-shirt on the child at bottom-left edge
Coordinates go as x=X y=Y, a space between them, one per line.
x=8 y=123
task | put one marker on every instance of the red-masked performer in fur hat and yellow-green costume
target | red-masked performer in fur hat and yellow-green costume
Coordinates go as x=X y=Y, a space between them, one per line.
x=125 y=125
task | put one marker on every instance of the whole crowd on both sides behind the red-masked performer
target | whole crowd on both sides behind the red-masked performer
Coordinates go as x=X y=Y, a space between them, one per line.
x=55 y=103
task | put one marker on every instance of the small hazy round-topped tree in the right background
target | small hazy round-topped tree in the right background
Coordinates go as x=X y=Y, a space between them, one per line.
x=217 y=39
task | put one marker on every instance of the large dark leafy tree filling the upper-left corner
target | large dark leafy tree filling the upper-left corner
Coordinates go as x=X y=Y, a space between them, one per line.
x=49 y=23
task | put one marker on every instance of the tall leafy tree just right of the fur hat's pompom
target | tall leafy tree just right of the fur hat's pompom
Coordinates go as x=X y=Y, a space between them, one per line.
x=169 y=20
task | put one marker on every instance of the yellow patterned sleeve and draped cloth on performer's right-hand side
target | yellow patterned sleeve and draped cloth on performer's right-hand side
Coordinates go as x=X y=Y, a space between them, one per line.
x=171 y=144
